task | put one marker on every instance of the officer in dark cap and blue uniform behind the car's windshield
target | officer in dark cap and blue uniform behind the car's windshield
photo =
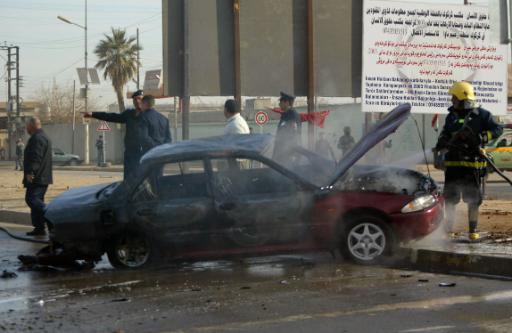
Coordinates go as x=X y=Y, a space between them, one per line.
x=288 y=130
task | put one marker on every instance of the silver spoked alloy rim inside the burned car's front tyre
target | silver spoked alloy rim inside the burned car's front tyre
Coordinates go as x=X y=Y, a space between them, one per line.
x=366 y=241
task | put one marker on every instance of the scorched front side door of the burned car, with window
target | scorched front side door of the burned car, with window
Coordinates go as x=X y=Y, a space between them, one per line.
x=257 y=204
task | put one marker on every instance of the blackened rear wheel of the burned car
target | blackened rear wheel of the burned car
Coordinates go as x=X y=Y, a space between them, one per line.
x=131 y=250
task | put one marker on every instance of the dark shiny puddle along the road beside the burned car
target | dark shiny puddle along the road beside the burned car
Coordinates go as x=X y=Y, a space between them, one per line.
x=34 y=289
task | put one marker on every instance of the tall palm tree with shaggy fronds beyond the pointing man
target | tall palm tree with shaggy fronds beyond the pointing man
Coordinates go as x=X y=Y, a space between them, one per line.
x=117 y=56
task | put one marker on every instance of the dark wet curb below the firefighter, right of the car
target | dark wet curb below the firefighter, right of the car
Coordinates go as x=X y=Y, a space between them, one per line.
x=461 y=263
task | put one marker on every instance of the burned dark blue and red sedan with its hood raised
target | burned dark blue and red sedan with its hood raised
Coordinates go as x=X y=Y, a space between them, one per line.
x=223 y=196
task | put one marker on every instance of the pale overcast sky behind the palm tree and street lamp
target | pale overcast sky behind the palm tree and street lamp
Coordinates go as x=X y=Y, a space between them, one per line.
x=52 y=50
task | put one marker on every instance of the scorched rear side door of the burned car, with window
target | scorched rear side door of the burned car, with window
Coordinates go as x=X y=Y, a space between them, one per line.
x=173 y=204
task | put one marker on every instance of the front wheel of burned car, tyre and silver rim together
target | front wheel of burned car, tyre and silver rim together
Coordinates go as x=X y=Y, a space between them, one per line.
x=366 y=240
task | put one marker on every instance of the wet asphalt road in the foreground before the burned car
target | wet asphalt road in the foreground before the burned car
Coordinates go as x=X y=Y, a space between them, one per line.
x=288 y=293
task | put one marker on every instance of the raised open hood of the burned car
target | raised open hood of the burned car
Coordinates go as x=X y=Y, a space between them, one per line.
x=379 y=132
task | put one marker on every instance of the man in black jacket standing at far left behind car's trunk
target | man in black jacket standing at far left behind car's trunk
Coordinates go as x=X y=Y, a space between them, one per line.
x=37 y=175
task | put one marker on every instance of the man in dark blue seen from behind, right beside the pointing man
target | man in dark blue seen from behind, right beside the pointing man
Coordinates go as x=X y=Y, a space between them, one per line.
x=154 y=129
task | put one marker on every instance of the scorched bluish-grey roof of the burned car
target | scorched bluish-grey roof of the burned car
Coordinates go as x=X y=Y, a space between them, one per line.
x=218 y=145
